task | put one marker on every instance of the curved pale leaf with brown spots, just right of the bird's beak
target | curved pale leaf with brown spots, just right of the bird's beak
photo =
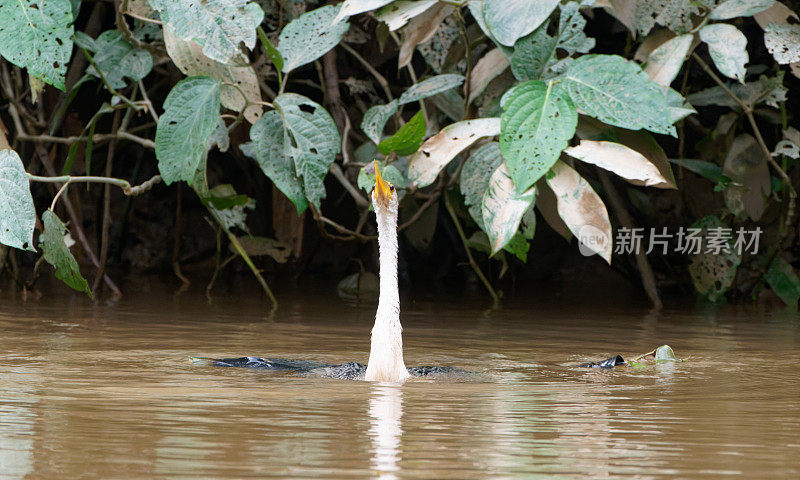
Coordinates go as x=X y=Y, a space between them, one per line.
x=438 y=150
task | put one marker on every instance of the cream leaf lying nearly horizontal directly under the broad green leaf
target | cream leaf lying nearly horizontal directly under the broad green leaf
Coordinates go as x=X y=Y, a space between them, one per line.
x=625 y=162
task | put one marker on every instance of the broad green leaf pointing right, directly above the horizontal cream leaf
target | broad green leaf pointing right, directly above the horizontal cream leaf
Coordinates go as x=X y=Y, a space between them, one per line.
x=617 y=91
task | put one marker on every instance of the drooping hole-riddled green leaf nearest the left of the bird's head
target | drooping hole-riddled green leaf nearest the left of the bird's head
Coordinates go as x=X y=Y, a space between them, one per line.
x=295 y=146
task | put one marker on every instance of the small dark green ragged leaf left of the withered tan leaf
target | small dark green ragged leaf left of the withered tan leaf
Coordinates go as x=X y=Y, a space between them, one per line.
x=117 y=59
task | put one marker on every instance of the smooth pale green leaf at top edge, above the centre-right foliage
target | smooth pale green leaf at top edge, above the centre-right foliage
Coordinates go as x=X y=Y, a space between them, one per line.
x=510 y=20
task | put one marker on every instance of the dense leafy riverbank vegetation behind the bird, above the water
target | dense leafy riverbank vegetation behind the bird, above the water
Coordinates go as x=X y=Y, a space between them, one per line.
x=223 y=137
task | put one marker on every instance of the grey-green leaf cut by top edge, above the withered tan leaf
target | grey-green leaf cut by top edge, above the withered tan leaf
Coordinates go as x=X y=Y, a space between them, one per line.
x=218 y=25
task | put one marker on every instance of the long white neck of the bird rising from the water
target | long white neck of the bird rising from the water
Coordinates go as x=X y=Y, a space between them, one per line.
x=386 y=350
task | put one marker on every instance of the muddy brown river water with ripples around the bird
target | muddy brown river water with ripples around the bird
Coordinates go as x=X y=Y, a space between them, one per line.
x=107 y=392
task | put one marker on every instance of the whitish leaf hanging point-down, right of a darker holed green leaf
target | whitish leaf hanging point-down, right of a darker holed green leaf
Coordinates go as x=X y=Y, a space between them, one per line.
x=502 y=207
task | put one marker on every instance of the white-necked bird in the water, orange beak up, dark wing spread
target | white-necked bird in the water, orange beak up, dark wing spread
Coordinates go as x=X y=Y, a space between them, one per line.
x=386 y=349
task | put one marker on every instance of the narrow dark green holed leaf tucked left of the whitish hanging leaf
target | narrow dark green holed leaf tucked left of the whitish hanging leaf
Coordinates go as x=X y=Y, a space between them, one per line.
x=475 y=175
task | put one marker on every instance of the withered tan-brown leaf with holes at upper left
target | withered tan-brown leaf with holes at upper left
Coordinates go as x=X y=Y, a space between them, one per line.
x=189 y=58
